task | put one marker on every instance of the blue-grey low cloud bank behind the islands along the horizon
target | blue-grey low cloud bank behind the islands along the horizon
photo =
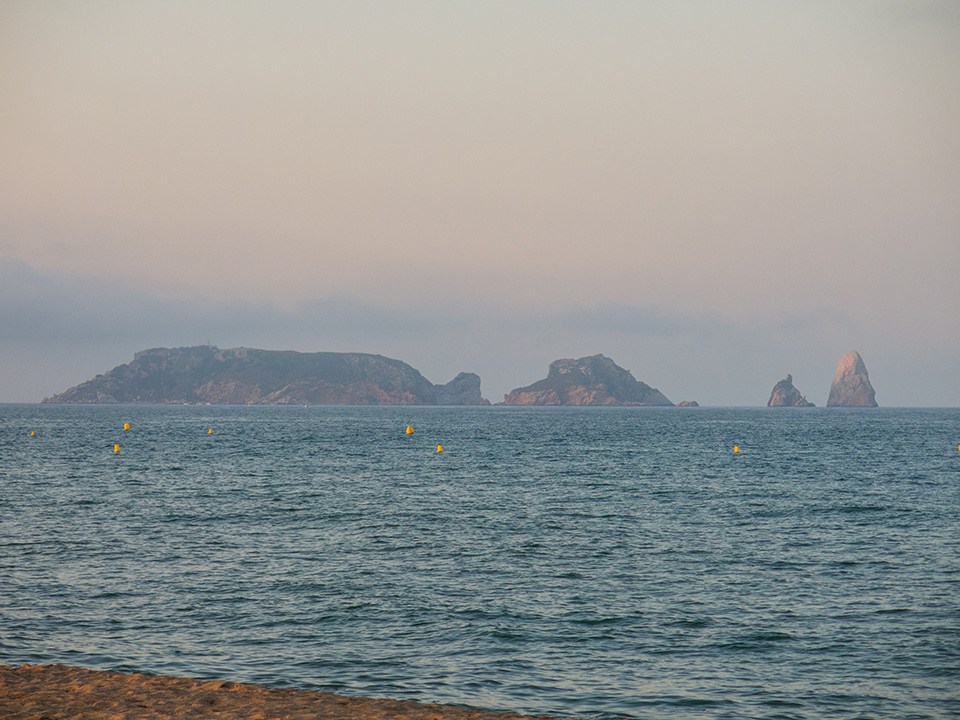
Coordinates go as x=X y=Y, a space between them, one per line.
x=58 y=331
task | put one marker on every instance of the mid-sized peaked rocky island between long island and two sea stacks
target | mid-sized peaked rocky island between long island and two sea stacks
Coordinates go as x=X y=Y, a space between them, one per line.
x=594 y=380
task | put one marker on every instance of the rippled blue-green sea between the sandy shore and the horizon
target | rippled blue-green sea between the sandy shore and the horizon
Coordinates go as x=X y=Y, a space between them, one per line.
x=571 y=562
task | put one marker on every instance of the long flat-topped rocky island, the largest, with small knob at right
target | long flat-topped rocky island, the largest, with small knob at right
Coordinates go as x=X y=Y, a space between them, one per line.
x=240 y=376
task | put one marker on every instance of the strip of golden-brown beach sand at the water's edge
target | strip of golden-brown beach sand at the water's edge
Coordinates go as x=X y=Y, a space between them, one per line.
x=50 y=692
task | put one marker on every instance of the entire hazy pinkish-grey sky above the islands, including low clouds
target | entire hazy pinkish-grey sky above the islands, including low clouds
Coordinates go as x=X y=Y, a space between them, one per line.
x=713 y=194
